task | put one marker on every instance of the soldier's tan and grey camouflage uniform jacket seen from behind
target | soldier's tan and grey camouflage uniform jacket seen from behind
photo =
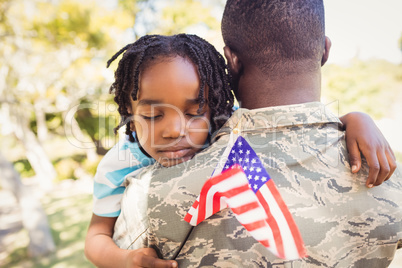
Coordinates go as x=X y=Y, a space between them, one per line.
x=343 y=223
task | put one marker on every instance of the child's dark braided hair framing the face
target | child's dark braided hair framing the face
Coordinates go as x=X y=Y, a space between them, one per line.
x=149 y=50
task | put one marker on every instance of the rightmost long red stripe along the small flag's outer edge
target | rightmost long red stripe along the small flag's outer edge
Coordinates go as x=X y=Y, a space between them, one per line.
x=288 y=216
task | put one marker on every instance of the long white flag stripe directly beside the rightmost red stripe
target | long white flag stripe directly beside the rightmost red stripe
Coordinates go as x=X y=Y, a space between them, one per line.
x=290 y=250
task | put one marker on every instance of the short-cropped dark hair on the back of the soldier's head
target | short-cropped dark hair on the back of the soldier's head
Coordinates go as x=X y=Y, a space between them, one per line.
x=279 y=37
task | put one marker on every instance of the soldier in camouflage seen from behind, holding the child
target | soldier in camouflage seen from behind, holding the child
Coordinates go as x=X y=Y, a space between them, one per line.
x=275 y=50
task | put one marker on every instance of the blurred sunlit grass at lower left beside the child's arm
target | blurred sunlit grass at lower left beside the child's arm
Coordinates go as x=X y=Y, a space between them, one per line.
x=69 y=212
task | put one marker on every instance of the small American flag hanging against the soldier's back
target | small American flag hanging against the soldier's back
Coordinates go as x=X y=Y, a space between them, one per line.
x=246 y=187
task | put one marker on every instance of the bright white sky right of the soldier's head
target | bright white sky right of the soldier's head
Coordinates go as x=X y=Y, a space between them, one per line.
x=364 y=28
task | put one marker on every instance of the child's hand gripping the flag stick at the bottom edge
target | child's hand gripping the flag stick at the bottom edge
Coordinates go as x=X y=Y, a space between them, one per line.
x=147 y=257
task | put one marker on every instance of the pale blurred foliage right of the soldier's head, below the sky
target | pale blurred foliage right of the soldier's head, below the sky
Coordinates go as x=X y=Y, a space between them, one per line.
x=373 y=87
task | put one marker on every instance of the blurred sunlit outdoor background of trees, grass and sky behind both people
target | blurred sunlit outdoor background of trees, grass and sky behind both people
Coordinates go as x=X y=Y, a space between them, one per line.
x=57 y=117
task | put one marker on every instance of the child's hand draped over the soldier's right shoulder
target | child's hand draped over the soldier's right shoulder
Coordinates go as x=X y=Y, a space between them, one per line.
x=363 y=137
